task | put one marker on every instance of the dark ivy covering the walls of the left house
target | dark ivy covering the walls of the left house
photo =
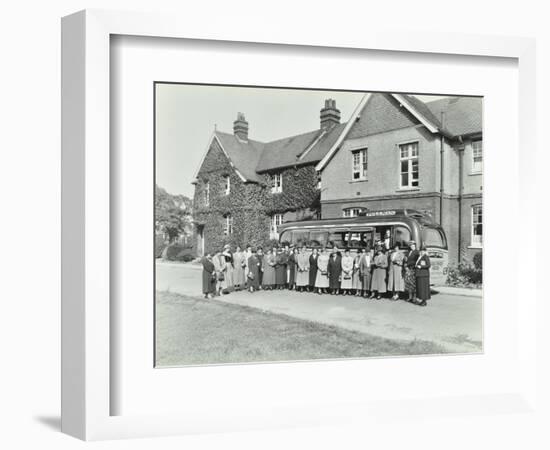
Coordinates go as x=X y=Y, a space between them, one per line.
x=250 y=204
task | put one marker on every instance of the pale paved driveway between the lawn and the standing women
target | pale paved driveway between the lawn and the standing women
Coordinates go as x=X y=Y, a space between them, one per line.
x=450 y=320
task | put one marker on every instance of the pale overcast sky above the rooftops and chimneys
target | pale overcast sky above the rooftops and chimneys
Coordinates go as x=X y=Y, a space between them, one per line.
x=187 y=114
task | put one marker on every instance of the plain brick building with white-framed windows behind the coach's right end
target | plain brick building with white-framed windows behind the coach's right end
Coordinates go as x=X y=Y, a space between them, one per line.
x=399 y=152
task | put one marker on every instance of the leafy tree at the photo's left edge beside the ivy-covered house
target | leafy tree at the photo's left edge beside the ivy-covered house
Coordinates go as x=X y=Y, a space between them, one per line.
x=172 y=214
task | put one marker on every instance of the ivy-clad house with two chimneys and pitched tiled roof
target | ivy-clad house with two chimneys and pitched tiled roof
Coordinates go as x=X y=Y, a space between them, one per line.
x=245 y=188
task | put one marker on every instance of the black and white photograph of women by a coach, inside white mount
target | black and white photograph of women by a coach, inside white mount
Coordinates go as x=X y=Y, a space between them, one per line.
x=300 y=224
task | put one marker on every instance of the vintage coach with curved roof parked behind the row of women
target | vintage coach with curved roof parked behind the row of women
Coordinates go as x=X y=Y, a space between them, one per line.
x=356 y=232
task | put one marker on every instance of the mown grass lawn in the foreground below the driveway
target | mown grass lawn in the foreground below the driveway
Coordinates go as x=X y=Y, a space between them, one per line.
x=193 y=330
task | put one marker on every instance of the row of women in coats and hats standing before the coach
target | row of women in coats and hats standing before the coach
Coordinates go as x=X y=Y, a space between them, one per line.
x=369 y=273
